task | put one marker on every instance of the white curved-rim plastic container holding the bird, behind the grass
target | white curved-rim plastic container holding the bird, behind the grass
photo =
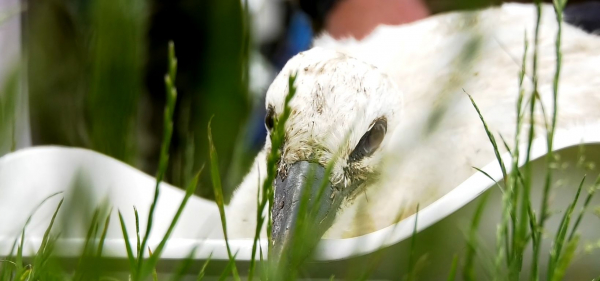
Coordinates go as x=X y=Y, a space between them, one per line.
x=30 y=175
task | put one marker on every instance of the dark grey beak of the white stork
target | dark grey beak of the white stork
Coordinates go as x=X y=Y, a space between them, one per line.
x=304 y=208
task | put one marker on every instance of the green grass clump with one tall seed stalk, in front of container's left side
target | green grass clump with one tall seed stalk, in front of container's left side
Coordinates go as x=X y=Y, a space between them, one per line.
x=43 y=266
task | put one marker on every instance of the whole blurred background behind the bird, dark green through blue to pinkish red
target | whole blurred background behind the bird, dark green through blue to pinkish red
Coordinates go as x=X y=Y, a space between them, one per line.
x=95 y=71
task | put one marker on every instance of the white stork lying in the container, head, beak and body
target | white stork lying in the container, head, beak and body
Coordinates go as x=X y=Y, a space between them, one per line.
x=393 y=156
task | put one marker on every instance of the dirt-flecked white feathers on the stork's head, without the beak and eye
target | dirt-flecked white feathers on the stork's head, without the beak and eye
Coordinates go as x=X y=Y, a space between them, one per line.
x=337 y=100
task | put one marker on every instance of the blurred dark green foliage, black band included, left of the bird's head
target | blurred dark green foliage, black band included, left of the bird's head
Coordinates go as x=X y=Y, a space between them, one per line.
x=96 y=80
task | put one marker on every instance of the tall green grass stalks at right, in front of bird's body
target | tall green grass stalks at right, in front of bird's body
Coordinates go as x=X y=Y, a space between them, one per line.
x=520 y=225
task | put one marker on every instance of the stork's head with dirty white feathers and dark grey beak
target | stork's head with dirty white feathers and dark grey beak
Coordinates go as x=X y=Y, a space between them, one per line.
x=344 y=112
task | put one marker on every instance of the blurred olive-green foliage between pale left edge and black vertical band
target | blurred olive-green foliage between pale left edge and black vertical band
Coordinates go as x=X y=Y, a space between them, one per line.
x=85 y=73
